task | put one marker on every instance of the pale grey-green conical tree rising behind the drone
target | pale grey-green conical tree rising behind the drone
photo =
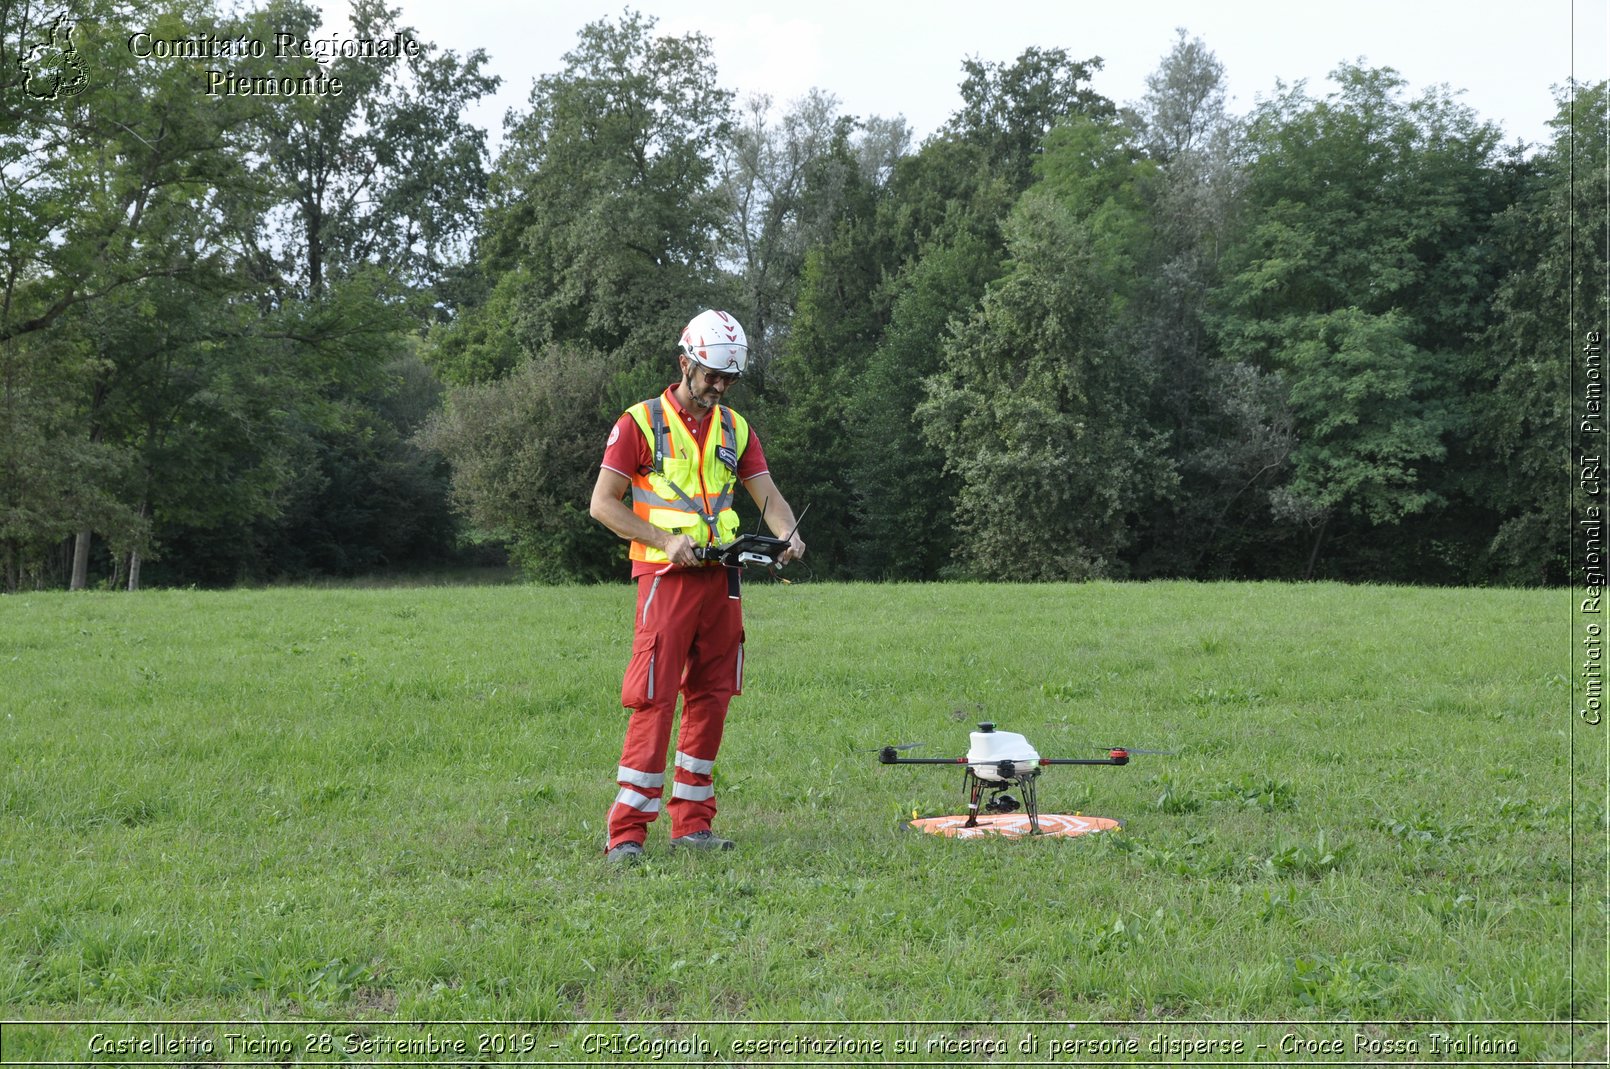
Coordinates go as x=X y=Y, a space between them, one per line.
x=1038 y=408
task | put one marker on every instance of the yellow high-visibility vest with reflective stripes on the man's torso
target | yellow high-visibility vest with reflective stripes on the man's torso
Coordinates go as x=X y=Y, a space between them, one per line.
x=688 y=492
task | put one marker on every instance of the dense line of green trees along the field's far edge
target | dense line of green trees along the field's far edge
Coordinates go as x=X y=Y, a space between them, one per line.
x=249 y=337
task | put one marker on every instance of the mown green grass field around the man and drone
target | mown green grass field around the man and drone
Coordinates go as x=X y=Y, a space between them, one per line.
x=361 y=807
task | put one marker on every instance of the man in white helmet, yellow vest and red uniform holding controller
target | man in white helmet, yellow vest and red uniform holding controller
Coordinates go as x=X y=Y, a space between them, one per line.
x=682 y=456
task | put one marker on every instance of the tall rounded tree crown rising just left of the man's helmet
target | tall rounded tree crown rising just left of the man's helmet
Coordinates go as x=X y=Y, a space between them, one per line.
x=606 y=213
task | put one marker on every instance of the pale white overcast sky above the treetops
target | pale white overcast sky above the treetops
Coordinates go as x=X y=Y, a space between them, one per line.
x=890 y=59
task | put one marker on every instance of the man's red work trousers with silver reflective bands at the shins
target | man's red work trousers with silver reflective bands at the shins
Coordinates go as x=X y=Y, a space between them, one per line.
x=688 y=640
